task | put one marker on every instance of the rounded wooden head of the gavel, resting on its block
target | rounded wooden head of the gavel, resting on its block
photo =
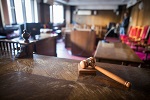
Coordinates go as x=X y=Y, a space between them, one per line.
x=88 y=62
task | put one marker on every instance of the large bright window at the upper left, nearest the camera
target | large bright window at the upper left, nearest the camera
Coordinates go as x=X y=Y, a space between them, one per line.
x=21 y=11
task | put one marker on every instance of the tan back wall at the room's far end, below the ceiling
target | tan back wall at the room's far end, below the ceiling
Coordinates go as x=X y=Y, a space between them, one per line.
x=102 y=18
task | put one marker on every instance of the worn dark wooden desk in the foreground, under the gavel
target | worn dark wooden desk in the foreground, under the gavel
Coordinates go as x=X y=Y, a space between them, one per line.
x=51 y=78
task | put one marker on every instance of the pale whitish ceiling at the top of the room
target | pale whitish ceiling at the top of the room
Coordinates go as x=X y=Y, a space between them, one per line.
x=97 y=4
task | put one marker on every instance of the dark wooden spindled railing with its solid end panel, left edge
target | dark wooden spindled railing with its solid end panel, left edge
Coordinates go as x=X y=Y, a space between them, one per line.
x=9 y=48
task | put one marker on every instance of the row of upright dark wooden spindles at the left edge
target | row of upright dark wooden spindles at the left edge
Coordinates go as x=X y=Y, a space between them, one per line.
x=9 y=48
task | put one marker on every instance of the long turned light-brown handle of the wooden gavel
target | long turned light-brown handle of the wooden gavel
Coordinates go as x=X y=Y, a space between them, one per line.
x=113 y=76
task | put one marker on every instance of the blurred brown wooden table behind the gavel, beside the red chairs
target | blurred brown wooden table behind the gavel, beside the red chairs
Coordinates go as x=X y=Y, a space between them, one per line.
x=118 y=53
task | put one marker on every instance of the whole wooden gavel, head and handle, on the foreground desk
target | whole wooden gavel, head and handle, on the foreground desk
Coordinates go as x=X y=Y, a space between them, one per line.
x=91 y=62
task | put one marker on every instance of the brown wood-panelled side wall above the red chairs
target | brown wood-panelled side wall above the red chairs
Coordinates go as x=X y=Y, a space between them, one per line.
x=140 y=17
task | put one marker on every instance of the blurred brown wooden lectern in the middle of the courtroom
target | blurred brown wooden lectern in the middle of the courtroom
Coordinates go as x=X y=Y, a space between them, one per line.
x=83 y=42
